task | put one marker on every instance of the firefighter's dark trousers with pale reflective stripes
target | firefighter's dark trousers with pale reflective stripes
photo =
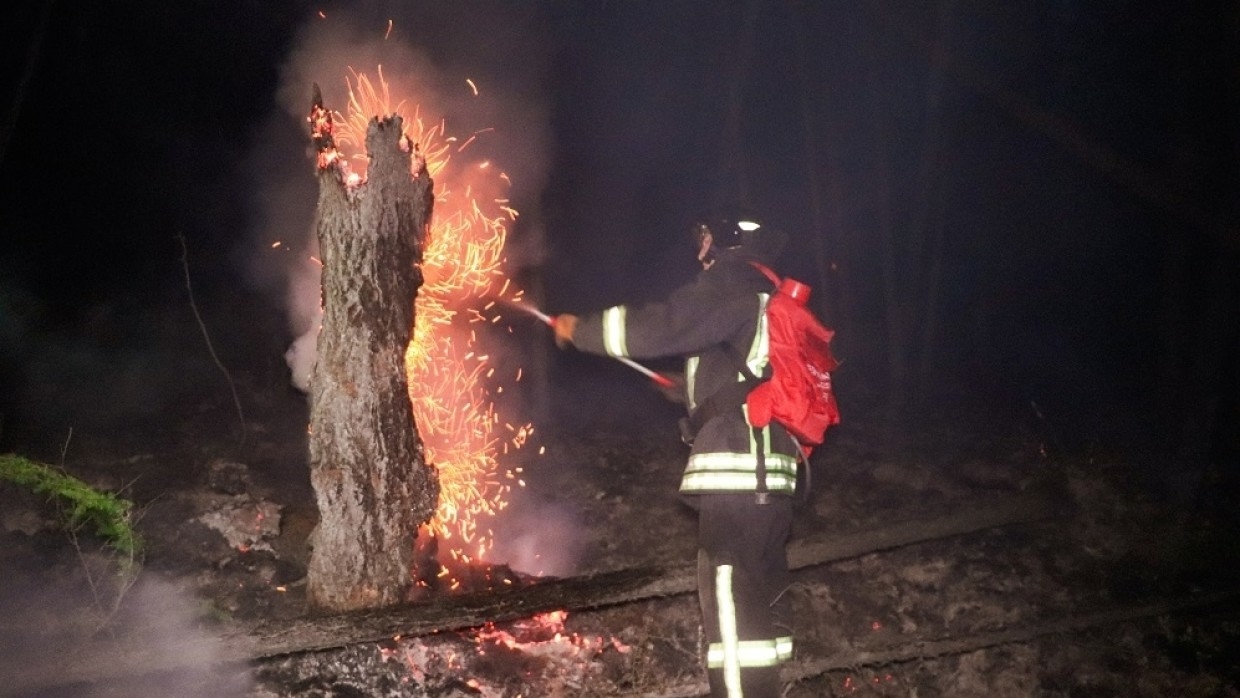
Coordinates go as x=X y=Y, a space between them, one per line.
x=743 y=580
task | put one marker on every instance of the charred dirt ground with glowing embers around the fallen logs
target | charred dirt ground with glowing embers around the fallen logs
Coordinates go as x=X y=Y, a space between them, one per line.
x=1124 y=593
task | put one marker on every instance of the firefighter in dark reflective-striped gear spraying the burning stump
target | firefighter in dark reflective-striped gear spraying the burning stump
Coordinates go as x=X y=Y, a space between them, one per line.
x=741 y=480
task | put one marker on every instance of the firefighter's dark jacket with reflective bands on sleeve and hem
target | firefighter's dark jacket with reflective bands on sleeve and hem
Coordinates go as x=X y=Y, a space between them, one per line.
x=711 y=322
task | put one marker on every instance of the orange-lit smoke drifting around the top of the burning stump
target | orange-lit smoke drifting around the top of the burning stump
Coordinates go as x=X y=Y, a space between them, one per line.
x=438 y=55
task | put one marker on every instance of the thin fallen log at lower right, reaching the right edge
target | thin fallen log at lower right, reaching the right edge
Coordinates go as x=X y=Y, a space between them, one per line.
x=931 y=649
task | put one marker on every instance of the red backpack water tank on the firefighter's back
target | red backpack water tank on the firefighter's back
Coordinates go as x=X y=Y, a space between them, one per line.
x=799 y=395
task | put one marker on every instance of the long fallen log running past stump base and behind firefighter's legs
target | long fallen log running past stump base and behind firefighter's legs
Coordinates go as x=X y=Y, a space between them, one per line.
x=122 y=656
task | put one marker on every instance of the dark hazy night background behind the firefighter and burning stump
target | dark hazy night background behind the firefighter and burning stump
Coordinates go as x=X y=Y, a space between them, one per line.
x=1081 y=144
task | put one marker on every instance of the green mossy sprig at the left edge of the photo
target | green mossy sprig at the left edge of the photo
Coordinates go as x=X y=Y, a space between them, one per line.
x=110 y=516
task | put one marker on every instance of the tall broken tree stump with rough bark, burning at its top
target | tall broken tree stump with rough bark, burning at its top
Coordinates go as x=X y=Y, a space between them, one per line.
x=368 y=467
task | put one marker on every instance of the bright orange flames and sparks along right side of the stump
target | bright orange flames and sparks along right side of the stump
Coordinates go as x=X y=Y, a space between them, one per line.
x=449 y=373
